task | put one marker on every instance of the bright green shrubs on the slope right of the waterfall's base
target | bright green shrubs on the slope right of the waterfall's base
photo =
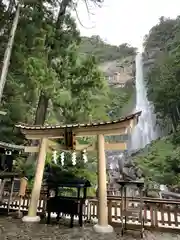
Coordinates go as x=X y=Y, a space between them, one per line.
x=158 y=161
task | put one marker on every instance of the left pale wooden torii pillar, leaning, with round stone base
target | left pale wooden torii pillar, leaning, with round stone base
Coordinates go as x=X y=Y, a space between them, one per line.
x=32 y=217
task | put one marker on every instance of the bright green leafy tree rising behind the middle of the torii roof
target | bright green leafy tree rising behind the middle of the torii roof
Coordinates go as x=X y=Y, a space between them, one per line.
x=86 y=90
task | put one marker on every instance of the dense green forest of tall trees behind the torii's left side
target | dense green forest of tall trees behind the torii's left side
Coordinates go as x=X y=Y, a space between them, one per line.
x=53 y=75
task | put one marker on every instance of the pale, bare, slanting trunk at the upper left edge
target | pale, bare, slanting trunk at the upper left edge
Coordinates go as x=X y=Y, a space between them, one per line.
x=7 y=54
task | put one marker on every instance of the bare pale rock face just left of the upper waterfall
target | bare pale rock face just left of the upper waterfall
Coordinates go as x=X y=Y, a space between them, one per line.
x=119 y=73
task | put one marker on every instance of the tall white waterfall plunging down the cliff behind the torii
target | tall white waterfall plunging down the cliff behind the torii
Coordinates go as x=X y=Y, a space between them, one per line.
x=146 y=129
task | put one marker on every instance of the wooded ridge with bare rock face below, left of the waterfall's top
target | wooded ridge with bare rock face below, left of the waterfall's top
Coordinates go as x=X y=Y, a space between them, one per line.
x=116 y=62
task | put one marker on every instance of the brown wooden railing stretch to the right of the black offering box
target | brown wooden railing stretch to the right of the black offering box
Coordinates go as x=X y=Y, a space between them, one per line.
x=158 y=213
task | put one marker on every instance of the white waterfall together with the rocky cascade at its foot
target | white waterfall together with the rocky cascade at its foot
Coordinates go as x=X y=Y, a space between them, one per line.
x=143 y=134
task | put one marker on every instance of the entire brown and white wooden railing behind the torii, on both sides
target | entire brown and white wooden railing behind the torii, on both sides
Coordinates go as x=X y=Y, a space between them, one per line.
x=158 y=213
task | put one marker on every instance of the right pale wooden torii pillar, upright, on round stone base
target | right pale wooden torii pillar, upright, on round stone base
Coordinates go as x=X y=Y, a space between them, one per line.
x=102 y=226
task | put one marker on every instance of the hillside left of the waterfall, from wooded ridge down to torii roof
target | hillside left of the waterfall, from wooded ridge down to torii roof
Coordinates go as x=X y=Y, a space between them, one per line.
x=118 y=65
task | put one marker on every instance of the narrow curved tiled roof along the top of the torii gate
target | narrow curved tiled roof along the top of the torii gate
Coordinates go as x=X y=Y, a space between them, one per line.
x=76 y=125
